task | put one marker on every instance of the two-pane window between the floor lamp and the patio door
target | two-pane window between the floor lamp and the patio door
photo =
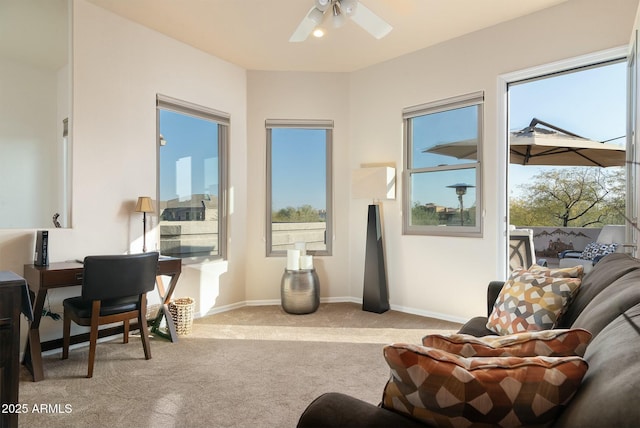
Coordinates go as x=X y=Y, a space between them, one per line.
x=443 y=150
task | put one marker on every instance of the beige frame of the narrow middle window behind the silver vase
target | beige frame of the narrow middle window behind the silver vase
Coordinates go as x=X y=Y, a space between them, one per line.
x=311 y=124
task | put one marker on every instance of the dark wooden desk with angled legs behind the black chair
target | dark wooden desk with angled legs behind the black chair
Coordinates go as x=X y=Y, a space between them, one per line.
x=69 y=274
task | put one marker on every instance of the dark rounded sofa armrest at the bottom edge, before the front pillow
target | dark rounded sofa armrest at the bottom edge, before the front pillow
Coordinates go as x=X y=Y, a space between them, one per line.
x=334 y=409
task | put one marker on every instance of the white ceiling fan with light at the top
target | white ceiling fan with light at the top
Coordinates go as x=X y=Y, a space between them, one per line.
x=338 y=11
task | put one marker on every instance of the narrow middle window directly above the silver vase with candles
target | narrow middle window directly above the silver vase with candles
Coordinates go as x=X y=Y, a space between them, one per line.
x=299 y=186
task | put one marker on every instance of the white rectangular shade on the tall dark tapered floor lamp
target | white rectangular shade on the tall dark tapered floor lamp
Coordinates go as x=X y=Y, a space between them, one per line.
x=373 y=183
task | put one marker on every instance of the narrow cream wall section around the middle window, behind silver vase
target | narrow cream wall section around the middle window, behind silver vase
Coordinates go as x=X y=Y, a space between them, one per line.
x=292 y=95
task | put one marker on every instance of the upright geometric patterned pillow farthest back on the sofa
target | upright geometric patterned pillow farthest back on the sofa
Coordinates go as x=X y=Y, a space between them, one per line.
x=531 y=302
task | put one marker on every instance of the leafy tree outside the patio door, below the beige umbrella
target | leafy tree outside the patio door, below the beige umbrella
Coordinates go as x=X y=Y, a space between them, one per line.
x=576 y=197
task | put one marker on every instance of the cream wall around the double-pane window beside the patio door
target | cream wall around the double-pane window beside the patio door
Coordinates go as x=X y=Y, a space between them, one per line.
x=443 y=275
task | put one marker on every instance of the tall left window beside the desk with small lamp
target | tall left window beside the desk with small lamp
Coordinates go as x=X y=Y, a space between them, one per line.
x=192 y=171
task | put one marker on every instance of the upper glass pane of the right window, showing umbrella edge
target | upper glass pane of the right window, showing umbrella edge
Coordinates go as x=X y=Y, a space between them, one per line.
x=445 y=138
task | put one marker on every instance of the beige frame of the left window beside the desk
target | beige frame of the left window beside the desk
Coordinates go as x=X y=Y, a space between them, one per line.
x=223 y=121
